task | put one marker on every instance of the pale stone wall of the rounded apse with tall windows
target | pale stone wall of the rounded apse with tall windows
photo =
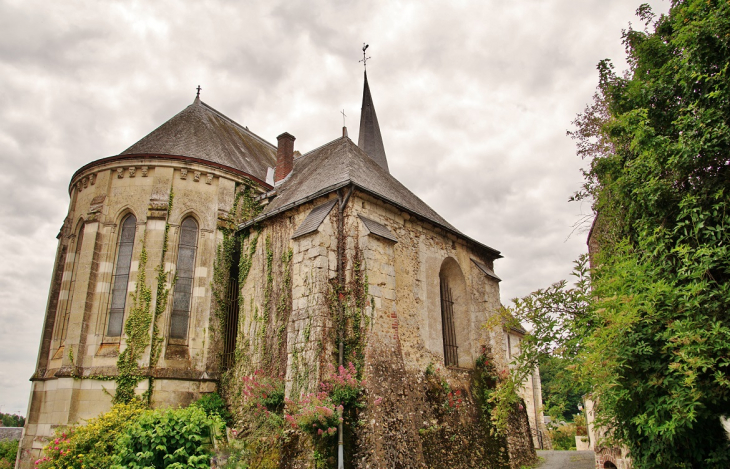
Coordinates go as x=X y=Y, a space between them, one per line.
x=74 y=377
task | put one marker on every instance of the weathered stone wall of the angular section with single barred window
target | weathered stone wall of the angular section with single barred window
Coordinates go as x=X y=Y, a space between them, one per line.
x=410 y=416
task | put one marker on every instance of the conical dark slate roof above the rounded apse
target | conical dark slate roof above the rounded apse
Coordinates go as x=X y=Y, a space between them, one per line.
x=201 y=132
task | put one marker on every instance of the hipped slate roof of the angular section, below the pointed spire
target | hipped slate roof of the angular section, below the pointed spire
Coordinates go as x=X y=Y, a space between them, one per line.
x=340 y=163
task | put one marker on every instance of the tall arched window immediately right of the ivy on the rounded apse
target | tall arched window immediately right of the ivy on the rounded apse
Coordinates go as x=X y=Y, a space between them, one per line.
x=181 y=299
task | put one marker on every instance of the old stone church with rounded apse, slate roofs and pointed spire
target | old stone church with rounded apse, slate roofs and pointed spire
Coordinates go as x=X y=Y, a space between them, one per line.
x=203 y=253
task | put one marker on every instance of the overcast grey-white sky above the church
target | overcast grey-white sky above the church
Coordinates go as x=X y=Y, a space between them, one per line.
x=473 y=99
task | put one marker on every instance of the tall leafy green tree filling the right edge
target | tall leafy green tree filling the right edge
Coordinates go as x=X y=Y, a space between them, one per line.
x=652 y=339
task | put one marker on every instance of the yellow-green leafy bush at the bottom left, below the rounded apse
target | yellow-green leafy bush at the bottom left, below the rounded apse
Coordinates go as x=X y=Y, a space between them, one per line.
x=92 y=444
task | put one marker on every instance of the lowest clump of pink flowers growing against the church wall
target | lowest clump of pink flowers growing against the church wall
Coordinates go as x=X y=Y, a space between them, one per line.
x=315 y=414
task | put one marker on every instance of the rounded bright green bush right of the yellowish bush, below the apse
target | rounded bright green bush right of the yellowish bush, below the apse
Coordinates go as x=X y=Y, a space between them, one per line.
x=170 y=438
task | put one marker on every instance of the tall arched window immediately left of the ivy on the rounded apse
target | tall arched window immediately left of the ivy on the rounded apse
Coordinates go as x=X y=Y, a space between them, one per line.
x=120 y=281
